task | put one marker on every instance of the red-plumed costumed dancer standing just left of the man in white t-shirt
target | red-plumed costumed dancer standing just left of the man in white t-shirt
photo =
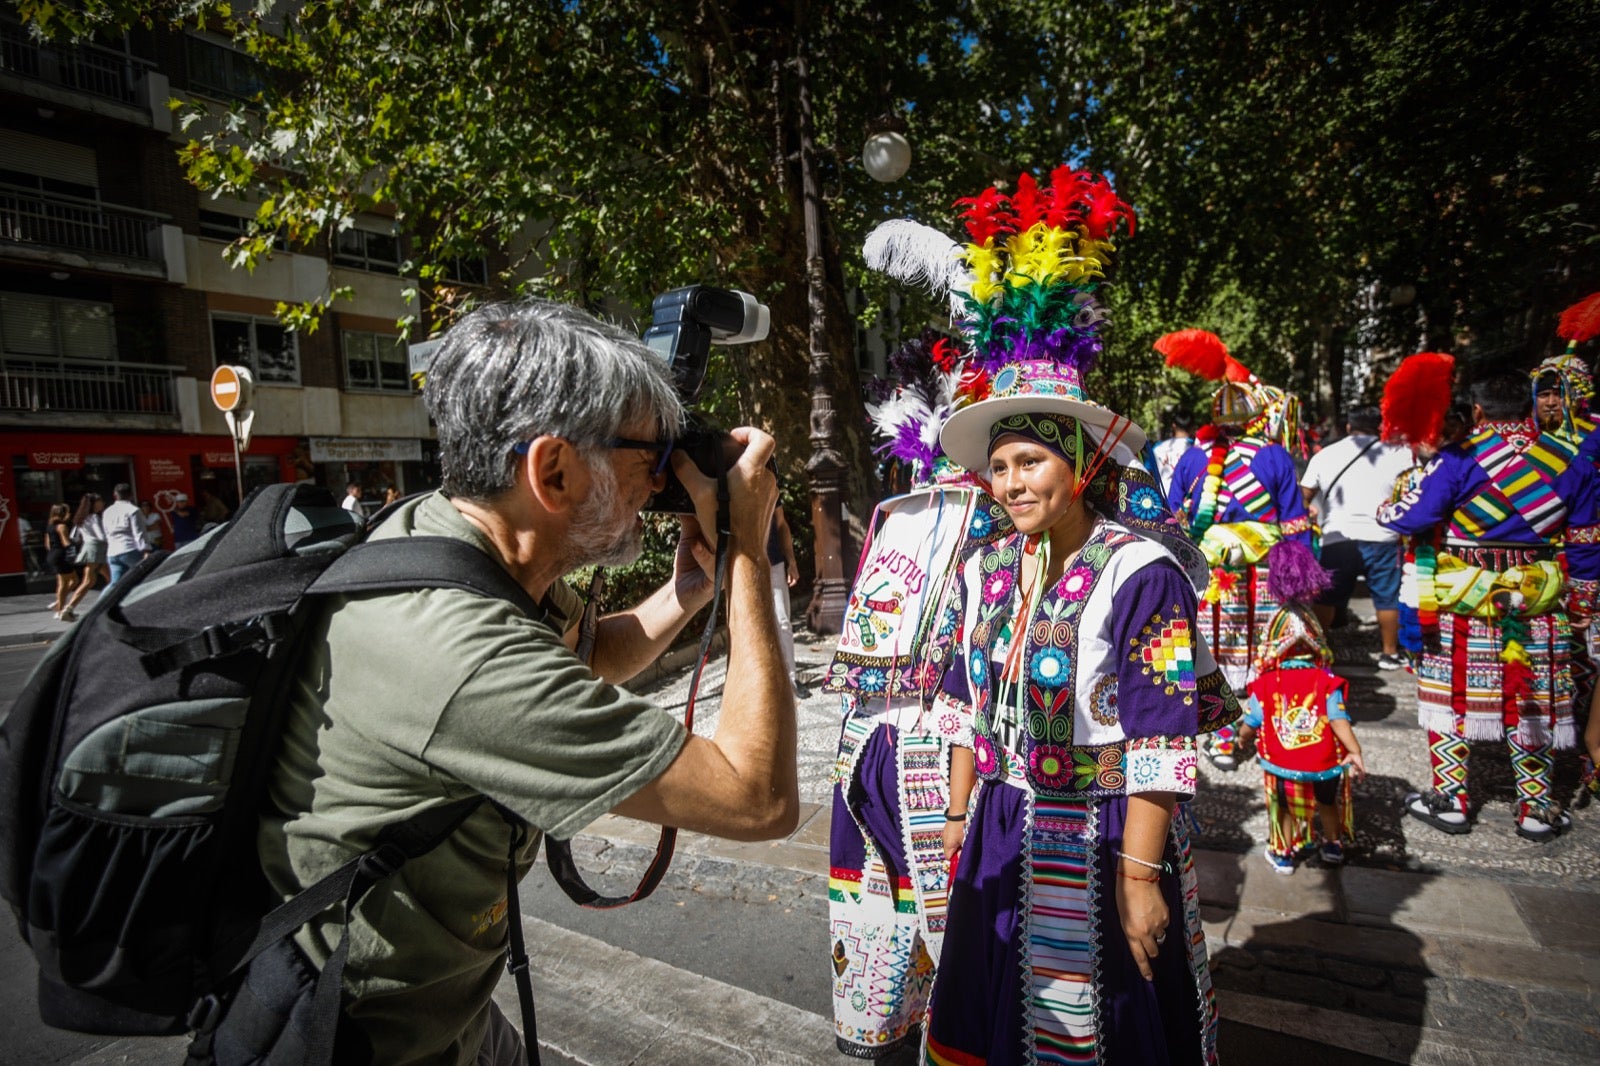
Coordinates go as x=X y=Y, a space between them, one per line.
x=1239 y=492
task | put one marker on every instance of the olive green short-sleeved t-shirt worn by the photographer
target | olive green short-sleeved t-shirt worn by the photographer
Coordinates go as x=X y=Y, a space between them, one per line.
x=415 y=700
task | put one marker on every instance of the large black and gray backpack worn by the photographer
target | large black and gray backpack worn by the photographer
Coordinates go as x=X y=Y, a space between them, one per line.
x=134 y=772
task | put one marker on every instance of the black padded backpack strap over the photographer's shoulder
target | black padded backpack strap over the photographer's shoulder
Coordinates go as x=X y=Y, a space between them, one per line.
x=423 y=563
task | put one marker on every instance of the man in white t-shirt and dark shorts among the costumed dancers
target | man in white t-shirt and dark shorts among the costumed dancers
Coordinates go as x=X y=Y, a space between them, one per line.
x=1345 y=486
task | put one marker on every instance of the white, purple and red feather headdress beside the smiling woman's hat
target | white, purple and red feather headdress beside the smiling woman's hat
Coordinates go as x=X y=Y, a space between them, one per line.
x=913 y=404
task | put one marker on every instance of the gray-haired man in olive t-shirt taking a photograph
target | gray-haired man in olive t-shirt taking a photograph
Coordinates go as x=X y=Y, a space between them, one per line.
x=553 y=433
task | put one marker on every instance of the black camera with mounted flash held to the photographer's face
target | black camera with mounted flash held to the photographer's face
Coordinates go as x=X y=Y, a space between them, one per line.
x=684 y=324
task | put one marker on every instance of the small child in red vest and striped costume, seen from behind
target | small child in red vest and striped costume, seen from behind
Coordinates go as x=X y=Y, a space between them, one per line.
x=1305 y=742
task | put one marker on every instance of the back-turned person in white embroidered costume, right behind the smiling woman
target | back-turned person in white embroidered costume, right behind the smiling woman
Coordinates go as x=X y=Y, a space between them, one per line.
x=887 y=865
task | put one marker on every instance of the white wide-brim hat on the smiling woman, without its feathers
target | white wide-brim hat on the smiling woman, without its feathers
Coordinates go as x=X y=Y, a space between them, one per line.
x=1036 y=388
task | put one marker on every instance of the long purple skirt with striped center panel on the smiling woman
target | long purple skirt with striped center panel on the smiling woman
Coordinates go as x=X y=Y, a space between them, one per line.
x=1034 y=899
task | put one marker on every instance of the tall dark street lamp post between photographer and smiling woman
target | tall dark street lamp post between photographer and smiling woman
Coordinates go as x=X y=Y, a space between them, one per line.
x=826 y=467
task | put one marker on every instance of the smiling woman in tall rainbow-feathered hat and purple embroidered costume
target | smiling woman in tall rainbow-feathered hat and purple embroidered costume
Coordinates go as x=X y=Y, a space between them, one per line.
x=1074 y=926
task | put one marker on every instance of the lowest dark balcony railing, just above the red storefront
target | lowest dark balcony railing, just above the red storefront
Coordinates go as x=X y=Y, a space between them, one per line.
x=65 y=385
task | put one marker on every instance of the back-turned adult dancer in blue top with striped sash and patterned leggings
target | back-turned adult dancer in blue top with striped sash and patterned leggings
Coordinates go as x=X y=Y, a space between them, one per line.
x=1498 y=665
